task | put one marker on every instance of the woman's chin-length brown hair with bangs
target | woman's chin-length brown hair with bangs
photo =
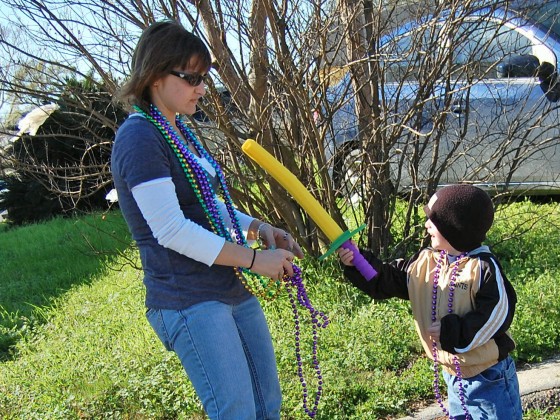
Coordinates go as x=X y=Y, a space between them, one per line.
x=162 y=47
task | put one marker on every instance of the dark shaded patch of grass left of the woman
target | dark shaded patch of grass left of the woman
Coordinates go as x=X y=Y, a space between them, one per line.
x=39 y=263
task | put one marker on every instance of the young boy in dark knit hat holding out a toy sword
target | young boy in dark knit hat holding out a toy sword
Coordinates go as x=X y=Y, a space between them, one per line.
x=462 y=304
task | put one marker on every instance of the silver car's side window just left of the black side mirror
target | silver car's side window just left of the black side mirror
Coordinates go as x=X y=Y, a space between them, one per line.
x=479 y=45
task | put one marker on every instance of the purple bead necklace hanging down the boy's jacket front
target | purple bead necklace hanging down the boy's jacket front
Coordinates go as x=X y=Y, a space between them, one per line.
x=456 y=362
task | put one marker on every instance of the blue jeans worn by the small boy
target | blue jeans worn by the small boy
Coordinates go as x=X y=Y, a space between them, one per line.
x=491 y=395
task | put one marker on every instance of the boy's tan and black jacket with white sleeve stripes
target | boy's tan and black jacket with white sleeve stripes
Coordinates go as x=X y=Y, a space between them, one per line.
x=483 y=304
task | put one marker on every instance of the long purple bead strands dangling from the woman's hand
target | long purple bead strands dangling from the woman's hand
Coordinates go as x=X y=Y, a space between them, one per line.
x=318 y=320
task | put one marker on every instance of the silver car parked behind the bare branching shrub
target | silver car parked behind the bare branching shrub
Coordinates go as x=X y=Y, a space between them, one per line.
x=495 y=103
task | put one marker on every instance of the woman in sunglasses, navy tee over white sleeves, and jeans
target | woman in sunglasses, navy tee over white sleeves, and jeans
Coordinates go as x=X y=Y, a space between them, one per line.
x=192 y=245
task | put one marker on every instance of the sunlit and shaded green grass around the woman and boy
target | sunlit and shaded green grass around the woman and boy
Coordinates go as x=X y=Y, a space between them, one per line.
x=80 y=347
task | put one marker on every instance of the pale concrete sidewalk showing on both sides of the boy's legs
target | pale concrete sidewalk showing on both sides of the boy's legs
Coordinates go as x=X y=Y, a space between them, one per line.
x=539 y=385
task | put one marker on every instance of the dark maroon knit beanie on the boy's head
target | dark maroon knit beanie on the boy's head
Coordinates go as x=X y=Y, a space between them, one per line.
x=463 y=214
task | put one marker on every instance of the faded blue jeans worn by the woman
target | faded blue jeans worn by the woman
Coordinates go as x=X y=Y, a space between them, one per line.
x=227 y=353
